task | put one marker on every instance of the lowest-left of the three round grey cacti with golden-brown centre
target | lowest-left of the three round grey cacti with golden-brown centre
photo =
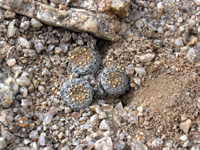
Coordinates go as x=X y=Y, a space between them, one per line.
x=76 y=93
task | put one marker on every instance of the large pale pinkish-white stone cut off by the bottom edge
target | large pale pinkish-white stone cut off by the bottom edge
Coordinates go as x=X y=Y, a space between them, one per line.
x=104 y=143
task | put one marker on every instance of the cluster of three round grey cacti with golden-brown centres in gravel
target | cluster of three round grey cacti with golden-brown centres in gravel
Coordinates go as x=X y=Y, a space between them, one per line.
x=78 y=93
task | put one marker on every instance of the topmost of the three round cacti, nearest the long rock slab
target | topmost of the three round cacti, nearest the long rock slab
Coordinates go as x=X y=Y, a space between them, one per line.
x=84 y=60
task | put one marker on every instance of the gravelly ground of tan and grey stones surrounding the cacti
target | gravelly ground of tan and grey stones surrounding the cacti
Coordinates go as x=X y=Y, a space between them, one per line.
x=160 y=42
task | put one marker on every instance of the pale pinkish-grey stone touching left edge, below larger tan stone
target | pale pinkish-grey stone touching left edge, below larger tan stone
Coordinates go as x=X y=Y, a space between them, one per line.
x=6 y=117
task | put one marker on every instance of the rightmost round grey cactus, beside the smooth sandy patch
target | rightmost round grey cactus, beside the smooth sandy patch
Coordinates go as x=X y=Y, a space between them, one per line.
x=114 y=81
